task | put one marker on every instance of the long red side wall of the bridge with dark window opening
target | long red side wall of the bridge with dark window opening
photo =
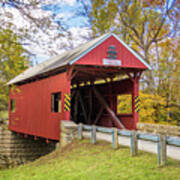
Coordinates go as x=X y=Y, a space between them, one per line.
x=33 y=107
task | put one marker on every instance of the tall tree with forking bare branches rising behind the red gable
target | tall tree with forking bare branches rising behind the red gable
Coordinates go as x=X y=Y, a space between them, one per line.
x=141 y=24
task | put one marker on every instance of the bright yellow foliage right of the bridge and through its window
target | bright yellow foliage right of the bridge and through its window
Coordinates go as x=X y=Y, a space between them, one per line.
x=153 y=109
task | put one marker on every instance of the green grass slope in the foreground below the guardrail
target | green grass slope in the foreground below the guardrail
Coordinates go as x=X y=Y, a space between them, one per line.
x=81 y=160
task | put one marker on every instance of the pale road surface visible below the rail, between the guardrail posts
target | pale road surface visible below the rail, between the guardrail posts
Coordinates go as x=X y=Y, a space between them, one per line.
x=148 y=146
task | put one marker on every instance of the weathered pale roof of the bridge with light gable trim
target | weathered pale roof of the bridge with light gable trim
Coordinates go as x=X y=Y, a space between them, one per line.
x=67 y=58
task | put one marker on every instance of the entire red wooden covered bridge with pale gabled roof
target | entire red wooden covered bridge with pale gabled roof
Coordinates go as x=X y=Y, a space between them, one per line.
x=81 y=85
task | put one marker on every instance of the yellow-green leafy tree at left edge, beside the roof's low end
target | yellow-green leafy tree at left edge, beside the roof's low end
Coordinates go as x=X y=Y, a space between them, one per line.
x=13 y=60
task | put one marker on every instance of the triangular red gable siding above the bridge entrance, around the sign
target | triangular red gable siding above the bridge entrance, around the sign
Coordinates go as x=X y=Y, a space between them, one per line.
x=96 y=56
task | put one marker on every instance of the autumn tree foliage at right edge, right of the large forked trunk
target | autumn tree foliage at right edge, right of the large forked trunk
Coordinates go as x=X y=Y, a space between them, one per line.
x=168 y=76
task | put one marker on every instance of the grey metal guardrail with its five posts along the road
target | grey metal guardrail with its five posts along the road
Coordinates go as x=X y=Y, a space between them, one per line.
x=134 y=136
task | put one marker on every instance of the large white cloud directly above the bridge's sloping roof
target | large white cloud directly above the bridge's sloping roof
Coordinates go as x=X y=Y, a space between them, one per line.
x=60 y=45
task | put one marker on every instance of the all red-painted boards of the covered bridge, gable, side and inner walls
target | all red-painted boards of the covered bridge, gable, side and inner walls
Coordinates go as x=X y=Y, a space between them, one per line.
x=33 y=114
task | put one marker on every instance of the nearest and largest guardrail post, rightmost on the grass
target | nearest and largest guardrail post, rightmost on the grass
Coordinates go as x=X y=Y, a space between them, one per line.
x=161 y=150
